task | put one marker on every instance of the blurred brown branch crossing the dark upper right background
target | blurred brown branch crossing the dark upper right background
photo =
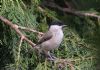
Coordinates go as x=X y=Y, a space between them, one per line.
x=70 y=11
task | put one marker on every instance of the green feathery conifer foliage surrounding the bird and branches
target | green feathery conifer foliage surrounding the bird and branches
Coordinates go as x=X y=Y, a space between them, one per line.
x=80 y=45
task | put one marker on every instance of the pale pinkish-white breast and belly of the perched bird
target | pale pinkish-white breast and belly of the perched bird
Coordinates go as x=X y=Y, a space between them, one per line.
x=54 y=42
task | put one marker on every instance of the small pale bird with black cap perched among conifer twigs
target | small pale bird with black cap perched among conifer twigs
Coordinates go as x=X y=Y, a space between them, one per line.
x=52 y=38
